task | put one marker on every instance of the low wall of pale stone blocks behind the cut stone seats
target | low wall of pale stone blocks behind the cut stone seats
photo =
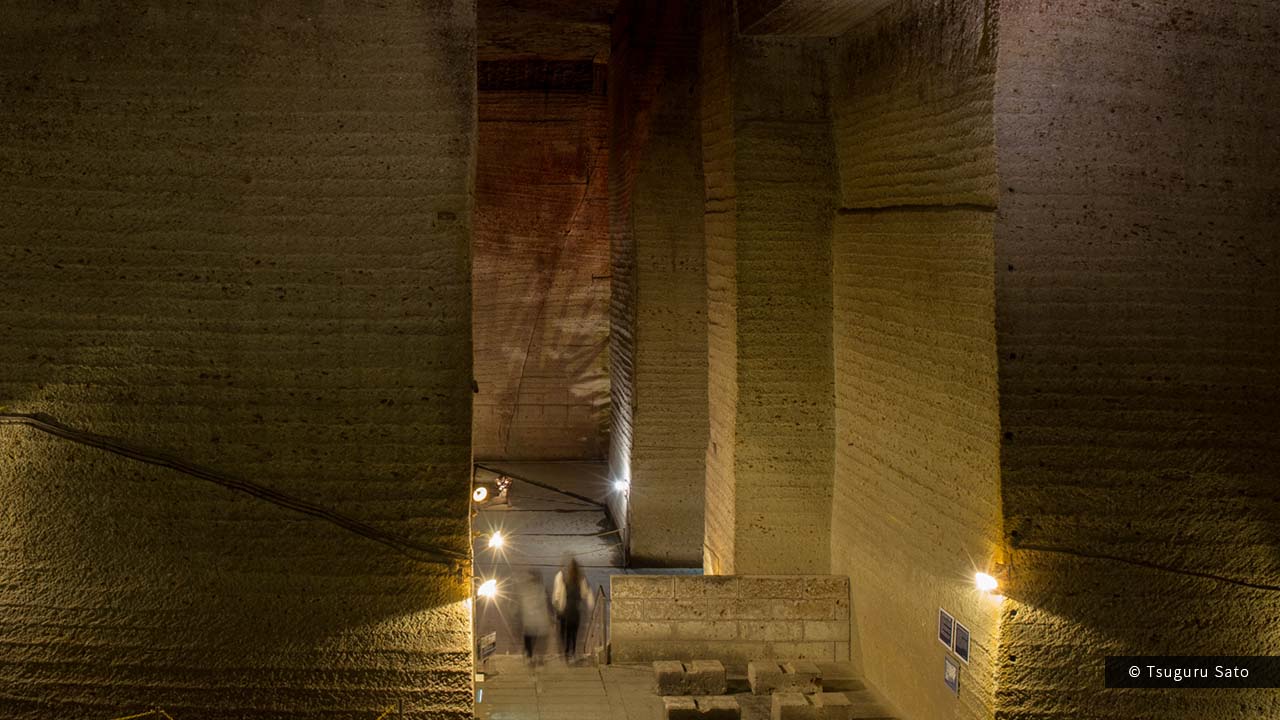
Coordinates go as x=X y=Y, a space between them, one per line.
x=729 y=618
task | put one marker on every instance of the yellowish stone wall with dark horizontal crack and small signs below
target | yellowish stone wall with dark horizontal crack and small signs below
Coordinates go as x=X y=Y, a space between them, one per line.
x=917 y=495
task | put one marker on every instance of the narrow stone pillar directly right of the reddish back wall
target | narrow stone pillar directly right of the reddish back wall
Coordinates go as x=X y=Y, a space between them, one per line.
x=661 y=306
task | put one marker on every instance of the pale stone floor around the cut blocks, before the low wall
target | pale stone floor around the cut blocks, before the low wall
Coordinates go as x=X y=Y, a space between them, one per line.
x=514 y=691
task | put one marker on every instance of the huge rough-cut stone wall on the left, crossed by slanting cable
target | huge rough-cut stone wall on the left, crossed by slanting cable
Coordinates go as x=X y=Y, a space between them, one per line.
x=240 y=235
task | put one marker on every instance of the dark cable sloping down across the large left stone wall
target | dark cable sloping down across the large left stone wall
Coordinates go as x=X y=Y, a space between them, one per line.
x=412 y=549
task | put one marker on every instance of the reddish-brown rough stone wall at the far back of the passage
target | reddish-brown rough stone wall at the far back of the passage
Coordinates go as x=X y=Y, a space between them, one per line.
x=541 y=262
